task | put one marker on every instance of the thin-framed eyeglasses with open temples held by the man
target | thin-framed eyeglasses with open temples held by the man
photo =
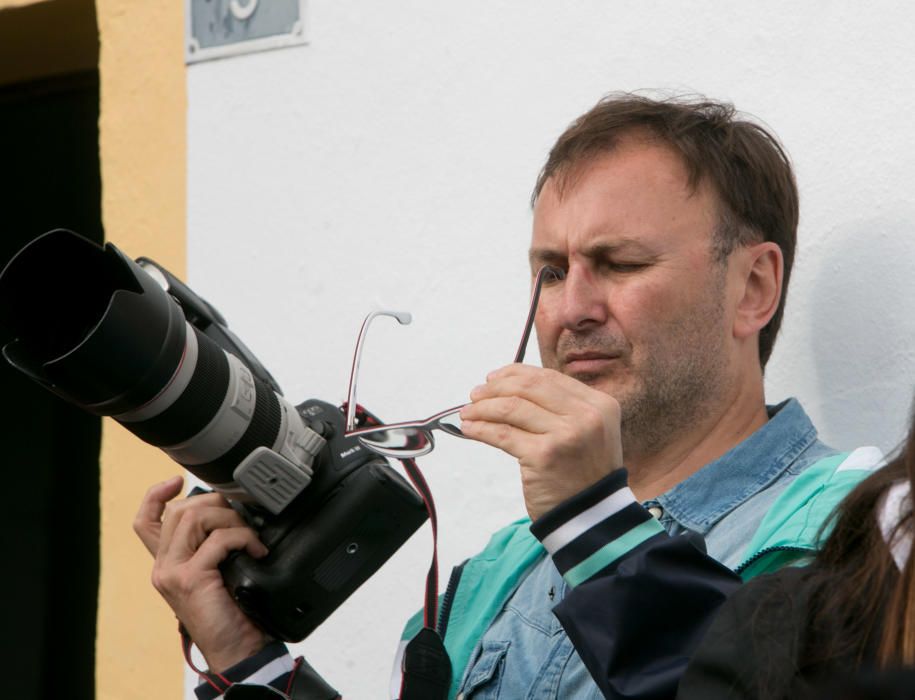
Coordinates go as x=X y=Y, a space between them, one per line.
x=409 y=439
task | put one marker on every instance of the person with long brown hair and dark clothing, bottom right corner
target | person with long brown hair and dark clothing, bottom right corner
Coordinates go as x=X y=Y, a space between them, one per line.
x=842 y=628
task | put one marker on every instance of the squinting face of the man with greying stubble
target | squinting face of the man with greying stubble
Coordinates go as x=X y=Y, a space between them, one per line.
x=641 y=312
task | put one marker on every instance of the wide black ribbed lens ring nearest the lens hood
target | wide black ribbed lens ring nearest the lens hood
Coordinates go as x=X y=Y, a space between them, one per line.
x=198 y=403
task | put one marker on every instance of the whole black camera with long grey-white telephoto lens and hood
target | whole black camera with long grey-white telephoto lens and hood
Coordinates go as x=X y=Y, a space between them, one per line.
x=126 y=339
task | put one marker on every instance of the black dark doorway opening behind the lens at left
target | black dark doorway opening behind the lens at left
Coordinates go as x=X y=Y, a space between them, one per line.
x=51 y=179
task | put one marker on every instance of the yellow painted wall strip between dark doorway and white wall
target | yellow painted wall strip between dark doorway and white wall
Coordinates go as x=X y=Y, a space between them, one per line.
x=142 y=141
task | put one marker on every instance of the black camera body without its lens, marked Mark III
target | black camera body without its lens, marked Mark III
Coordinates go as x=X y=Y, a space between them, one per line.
x=354 y=515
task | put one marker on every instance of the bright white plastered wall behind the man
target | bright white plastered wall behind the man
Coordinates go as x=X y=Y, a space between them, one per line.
x=389 y=164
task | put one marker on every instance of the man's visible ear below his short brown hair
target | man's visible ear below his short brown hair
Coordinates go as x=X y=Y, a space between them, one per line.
x=760 y=269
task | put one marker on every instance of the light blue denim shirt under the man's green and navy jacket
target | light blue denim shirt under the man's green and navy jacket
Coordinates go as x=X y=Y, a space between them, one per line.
x=525 y=653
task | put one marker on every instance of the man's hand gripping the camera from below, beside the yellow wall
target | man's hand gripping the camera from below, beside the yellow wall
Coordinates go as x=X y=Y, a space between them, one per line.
x=189 y=538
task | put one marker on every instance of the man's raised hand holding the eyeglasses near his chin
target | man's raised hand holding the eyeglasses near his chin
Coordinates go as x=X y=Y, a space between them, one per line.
x=564 y=434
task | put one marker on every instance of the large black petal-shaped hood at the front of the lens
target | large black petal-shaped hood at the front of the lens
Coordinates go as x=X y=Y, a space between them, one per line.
x=89 y=323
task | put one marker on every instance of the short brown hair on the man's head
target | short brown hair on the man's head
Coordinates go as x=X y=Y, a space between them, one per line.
x=743 y=162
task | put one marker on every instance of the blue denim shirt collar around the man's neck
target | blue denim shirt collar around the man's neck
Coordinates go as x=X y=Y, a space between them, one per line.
x=702 y=499
